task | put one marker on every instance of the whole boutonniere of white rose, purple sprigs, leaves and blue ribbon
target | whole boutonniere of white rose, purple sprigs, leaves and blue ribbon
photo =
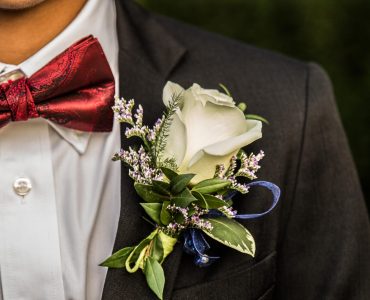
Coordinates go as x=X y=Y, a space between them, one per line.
x=186 y=170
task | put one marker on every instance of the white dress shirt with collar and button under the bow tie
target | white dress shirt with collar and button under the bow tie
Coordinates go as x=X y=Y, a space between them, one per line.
x=53 y=238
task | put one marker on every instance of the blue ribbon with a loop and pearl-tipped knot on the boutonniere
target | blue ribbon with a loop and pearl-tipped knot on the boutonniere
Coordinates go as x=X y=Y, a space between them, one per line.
x=194 y=241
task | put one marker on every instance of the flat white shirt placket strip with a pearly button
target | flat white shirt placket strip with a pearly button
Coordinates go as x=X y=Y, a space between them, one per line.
x=29 y=235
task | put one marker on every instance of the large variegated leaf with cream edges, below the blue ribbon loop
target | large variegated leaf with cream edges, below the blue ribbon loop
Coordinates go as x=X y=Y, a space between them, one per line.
x=232 y=234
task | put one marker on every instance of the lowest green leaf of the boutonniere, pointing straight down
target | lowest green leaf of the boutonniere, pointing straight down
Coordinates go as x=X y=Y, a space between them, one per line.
x=154 y=276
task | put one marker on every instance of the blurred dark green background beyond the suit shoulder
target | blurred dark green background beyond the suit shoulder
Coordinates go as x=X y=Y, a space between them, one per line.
x=334 y=33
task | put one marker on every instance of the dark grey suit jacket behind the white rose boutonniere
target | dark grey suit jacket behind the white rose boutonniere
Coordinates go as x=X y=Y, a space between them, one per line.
x=316 y=243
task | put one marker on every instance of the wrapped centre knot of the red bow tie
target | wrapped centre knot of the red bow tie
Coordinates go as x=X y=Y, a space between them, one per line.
x=18 y=100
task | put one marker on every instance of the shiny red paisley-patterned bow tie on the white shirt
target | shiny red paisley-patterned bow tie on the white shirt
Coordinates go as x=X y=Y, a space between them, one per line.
x=75 y=90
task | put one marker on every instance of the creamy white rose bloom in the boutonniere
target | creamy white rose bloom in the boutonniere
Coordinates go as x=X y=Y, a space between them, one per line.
x=207 y=130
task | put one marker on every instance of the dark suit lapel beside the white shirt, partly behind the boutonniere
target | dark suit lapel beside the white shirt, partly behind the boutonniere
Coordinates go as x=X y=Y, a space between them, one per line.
x=147 y=55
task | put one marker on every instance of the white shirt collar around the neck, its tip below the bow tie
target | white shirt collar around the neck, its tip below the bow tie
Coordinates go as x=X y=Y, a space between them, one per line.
x=92 y=19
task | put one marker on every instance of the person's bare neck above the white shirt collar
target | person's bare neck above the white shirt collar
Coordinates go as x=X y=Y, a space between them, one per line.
x=24 y=32
